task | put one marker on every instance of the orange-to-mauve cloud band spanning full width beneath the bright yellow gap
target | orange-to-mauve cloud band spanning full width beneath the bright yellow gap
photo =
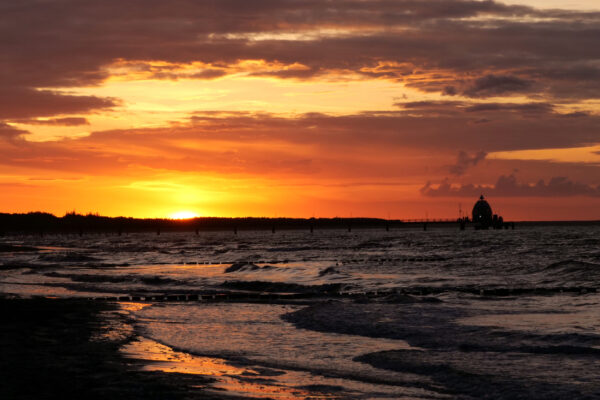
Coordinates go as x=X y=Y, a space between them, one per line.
x=365 y=144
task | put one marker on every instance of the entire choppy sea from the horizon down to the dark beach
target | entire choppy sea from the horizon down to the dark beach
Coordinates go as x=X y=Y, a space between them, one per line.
x=336 y=314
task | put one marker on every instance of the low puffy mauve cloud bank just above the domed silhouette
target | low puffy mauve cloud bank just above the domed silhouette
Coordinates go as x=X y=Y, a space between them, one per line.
x=508 y=186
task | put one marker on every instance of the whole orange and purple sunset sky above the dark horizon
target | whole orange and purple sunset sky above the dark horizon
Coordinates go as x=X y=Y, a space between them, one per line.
x=300 y=108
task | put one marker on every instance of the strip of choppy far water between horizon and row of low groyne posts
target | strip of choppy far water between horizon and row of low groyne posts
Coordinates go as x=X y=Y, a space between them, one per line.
x=547 y=257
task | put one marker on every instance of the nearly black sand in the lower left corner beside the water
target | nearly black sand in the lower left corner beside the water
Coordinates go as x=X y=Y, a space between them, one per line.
x=59 y=348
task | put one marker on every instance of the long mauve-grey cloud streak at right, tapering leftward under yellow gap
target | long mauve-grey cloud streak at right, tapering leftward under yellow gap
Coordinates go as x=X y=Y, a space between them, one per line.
x=428 y=130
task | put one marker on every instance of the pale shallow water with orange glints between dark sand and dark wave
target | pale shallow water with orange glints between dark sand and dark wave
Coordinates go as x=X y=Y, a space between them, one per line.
x=267 y=351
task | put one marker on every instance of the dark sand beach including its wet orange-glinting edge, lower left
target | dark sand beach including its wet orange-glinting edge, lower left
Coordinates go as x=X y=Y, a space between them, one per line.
x=57 y=348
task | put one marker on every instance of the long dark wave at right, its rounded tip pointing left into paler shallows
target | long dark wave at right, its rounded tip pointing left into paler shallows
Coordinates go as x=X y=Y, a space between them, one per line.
x=420 y=327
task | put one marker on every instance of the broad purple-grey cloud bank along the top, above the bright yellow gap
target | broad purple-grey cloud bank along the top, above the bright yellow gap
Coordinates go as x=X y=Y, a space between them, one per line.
x=434 y=45
